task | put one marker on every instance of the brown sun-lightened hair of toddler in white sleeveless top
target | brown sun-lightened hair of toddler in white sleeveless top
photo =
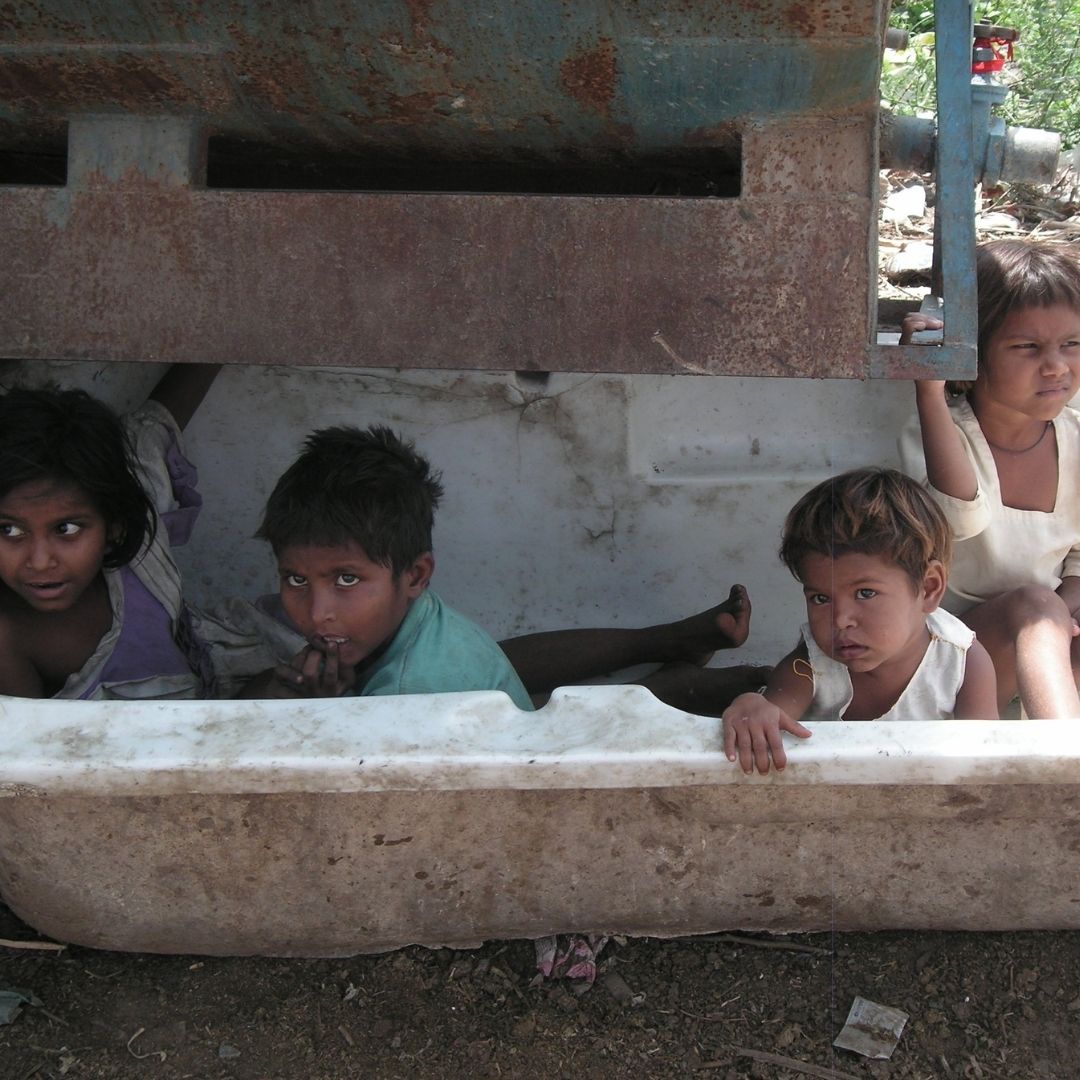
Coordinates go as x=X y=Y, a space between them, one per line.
x=869 y=512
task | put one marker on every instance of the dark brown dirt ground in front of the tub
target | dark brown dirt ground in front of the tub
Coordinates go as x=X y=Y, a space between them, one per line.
x=981 y=1006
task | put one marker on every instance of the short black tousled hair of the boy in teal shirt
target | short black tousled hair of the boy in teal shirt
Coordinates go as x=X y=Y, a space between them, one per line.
x=350 y=487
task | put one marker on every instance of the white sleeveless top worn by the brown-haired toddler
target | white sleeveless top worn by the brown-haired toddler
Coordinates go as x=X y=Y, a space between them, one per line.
x=930 y=696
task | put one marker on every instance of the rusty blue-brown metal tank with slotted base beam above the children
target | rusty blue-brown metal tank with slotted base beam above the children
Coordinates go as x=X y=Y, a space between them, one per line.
x=538 y=186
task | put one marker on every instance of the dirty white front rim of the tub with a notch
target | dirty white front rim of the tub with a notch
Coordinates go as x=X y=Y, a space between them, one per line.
x=597 y=737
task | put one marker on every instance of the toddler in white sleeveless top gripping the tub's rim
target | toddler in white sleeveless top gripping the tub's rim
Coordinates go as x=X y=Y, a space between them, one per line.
x=872 y=551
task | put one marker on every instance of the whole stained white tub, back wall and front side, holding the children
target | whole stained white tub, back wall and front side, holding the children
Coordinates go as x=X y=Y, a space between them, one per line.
x=350 y=827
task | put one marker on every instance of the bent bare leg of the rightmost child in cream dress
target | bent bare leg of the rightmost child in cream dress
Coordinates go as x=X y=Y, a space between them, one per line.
x=1029 y=634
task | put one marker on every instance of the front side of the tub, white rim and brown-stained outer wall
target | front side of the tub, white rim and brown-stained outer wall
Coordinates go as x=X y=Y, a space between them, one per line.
x=329 y=829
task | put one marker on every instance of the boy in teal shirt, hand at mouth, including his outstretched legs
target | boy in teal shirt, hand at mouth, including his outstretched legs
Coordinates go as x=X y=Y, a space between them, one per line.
x=350 y=523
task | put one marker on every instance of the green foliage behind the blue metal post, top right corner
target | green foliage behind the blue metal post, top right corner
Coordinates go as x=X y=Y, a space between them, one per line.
x=1044 y=78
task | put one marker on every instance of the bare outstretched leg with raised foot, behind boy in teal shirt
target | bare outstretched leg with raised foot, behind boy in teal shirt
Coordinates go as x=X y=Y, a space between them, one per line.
x=559 y=657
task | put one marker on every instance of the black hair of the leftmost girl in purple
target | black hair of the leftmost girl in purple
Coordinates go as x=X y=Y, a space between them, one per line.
x=70 y=438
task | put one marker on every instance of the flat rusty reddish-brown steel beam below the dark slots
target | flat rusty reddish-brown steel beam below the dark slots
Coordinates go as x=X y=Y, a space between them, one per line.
x=154 y=272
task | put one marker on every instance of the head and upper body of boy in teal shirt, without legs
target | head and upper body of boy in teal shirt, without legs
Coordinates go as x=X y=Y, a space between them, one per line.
x=350 y=524
